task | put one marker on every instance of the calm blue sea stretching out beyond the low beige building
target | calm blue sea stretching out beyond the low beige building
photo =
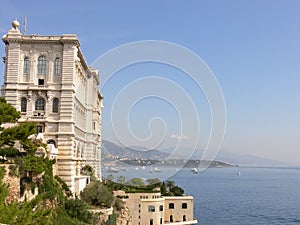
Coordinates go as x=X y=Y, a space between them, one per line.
x=237 y=195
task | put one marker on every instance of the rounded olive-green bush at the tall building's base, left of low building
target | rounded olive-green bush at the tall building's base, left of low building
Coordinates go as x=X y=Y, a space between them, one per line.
x=97 y=194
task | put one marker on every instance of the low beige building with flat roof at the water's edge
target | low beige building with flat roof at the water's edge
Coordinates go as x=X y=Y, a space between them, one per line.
x=155 y=209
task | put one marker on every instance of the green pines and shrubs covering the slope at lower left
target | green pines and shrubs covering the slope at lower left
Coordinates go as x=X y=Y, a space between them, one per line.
x=52 y=205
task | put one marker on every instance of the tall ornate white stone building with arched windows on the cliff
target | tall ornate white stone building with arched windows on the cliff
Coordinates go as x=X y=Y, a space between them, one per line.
x=48 y=80
